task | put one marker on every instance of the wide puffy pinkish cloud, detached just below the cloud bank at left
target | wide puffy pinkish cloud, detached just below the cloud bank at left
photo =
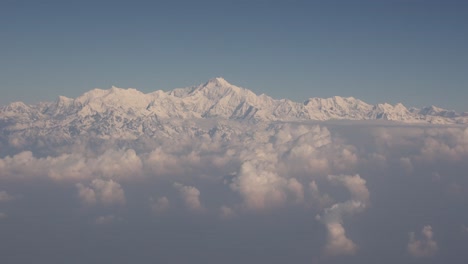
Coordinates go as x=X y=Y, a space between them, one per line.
x=107 y=192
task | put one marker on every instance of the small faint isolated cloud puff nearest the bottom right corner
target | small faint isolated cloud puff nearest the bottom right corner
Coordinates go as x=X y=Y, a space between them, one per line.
x=426 y=246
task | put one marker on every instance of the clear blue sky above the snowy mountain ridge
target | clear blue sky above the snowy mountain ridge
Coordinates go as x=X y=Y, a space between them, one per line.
x=409 y=51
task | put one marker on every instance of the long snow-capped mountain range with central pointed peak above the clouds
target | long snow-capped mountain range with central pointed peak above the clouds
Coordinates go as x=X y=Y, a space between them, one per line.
x=129 y=113
